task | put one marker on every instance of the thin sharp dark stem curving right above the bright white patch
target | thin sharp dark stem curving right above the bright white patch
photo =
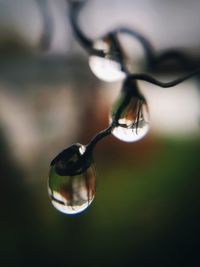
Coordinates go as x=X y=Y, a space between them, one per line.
x=147 y=78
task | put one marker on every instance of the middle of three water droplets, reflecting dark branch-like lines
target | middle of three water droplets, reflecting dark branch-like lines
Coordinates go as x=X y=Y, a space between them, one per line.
x=130 y=115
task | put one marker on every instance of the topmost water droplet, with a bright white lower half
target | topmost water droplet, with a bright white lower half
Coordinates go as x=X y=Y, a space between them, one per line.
x=109 y=65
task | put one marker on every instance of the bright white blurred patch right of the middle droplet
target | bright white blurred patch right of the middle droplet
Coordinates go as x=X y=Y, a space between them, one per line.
x=174 y=111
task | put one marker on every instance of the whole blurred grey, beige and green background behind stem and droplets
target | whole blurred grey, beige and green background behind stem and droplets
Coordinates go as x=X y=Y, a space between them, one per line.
x=146 y=209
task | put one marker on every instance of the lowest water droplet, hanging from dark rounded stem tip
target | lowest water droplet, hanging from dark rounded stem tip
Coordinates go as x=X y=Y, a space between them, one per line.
x=71 y=184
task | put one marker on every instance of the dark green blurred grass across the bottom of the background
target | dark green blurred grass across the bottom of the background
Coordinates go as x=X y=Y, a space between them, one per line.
x=146 y=213
